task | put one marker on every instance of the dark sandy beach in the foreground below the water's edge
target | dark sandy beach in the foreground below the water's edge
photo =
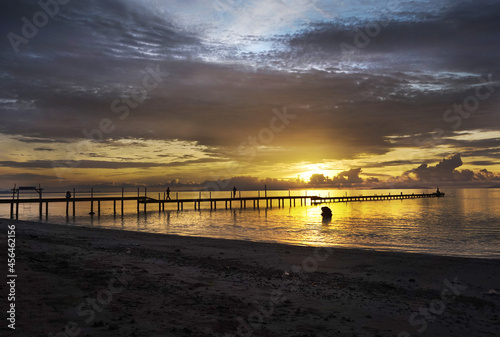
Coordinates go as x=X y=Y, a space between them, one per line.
x=74 y=281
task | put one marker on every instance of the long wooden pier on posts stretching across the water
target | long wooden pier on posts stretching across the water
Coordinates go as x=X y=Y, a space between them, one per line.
x=159 y=203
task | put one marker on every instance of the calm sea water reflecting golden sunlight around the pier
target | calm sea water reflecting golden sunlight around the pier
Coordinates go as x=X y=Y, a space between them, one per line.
x=464 y=223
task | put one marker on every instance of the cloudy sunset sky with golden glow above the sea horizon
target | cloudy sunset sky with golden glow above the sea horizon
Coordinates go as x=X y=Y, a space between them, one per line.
x=145 y=92
